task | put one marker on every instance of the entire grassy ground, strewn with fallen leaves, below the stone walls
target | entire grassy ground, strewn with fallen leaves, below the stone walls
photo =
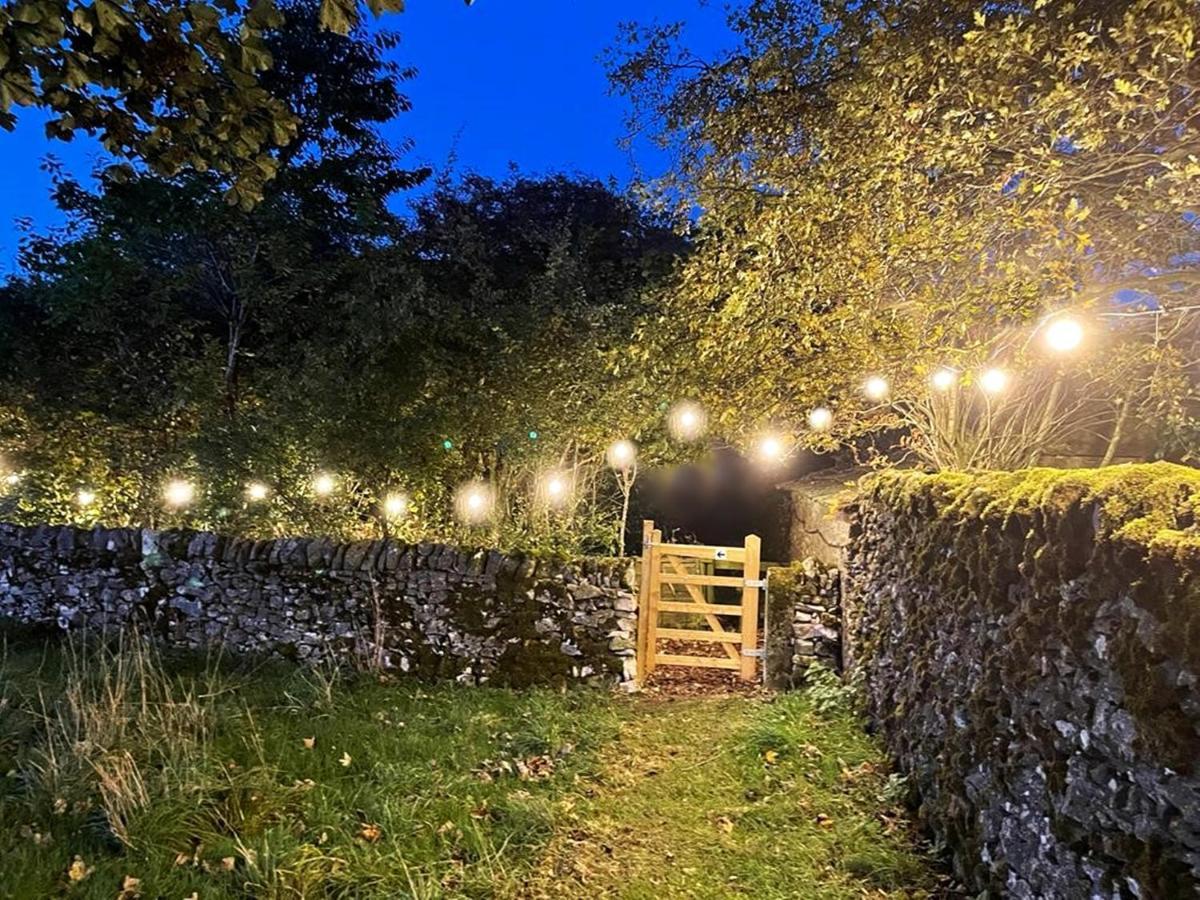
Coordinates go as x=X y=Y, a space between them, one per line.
x=127 y=776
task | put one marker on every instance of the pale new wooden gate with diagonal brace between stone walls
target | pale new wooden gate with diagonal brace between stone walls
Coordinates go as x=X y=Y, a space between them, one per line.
x=681 y=581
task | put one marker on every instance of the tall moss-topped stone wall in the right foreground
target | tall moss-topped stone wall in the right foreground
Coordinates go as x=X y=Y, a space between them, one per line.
x=1031 y=644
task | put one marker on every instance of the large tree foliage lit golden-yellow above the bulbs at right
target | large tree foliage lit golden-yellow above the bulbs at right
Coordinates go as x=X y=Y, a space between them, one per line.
x=892 y=188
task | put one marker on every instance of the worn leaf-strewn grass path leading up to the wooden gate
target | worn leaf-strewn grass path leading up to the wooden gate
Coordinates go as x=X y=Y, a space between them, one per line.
x=735 y=797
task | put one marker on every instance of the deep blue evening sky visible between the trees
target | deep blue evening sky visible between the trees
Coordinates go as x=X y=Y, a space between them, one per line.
x=501 y=82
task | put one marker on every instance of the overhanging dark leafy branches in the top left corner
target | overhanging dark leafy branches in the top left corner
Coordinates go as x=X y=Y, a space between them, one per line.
x=173 y=86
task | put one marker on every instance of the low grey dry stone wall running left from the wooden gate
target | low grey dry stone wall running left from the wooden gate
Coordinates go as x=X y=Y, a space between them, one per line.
x=433 y=610
